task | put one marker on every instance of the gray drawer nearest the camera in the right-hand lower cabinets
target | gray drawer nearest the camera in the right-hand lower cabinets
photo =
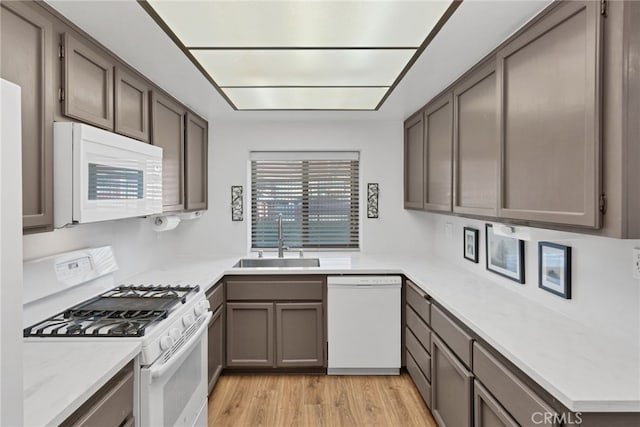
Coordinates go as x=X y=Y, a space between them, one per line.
x=515 y=396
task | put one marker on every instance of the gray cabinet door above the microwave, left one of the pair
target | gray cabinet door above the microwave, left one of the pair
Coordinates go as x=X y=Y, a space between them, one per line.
x=88 y=83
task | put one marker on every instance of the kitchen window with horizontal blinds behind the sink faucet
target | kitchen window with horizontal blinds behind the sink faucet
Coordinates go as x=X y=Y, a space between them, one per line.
x=317 y=194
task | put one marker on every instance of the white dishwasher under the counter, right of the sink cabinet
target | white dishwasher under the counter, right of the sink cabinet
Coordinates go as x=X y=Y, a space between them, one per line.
x=363 y=322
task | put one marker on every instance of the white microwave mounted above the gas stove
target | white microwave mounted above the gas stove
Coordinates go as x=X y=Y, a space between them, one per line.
x=100 y=175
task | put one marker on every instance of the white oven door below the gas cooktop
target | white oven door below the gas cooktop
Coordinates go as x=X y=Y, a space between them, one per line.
x=174 y=393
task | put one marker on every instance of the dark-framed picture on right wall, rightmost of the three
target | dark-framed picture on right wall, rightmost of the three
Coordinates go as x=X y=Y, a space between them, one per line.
x=554 y=268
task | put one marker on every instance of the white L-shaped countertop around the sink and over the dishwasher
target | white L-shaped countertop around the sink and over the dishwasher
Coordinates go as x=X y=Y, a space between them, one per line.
x=584 y=369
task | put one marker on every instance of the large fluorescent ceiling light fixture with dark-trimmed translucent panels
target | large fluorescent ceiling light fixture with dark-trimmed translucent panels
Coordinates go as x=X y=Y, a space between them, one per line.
x=298 y=54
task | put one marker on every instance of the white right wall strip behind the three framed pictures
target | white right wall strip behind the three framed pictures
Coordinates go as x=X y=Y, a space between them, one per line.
x=604 y=294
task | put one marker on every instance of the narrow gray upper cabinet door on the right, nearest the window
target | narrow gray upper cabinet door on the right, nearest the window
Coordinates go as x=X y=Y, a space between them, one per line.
x=414 y=162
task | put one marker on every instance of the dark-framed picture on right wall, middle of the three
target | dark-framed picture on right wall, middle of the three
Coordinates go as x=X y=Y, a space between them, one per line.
x=504 y=255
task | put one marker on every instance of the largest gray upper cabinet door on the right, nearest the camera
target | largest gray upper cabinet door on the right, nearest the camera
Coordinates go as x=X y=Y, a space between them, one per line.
x=550 y=118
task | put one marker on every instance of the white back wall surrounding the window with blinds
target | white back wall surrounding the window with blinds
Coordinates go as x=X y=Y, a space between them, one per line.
x=381 y=161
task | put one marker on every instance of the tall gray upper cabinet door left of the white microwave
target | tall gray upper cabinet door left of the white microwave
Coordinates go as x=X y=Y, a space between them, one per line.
x=26 y=60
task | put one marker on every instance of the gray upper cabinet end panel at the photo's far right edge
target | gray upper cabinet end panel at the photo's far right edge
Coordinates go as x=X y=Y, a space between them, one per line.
x=621 y=110
